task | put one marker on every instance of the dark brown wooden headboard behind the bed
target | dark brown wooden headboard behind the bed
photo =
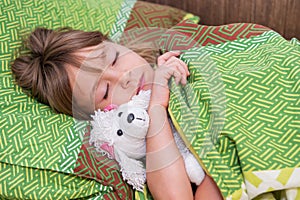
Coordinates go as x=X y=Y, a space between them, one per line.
x=281 y=15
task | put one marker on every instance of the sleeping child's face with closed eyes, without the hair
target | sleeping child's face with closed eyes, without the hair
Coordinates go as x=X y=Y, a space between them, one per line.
x=124 y=74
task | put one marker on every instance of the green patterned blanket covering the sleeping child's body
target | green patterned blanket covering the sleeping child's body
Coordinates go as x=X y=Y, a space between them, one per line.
x=240 y=114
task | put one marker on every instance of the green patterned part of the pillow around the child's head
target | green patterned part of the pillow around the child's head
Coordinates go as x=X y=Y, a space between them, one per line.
x=39 y=148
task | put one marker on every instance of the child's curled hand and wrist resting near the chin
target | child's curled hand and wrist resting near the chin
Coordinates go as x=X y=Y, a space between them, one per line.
x=168 y=65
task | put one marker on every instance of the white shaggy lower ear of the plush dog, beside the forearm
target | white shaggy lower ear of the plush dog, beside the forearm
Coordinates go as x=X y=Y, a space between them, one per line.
x=132 y=170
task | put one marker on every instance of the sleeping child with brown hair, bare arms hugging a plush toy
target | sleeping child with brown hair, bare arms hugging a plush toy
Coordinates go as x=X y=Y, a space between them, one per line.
x=77 y=72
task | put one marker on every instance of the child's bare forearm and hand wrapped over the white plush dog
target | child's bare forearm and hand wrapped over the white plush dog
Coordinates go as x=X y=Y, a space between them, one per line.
x=166 y=175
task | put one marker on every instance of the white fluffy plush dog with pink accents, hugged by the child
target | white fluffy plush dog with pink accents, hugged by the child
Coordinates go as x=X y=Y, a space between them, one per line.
x=120 y=133
